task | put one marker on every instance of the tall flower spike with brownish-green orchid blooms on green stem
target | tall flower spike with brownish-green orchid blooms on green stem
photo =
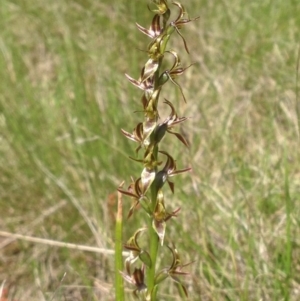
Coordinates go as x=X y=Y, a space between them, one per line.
x=147 y=191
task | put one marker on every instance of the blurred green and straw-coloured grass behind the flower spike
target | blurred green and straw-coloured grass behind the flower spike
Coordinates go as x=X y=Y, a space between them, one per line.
x=63 y=100
